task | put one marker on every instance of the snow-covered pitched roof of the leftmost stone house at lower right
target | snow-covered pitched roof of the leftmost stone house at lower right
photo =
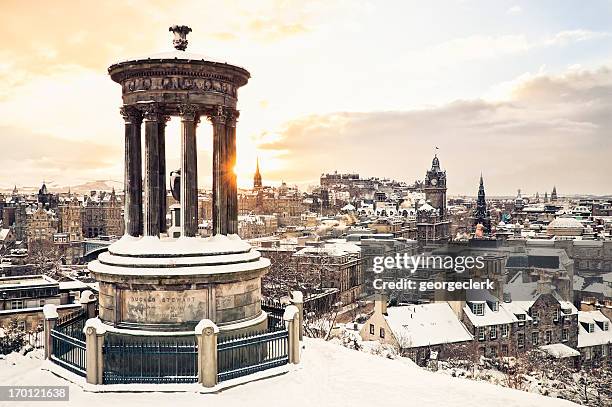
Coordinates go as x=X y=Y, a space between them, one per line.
x=426 y=324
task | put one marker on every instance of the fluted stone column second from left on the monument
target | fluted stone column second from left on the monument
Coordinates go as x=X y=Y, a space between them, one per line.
x=152 y=118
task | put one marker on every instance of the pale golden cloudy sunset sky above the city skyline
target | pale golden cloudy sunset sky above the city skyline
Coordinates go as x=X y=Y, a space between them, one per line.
x=520 y=90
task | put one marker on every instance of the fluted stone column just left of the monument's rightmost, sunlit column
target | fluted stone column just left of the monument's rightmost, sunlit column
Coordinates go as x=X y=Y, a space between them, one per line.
x=220 y=186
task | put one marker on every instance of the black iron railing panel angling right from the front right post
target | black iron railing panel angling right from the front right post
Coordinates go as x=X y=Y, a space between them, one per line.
x=241 y=356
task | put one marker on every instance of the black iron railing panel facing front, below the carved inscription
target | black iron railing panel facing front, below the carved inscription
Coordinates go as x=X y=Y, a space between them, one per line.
x=150 y=360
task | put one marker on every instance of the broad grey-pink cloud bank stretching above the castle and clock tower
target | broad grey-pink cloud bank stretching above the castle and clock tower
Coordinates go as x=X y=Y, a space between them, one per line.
x=554 y=130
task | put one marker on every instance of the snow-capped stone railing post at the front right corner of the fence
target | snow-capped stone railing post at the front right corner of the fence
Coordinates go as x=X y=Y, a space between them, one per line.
x=206 y=335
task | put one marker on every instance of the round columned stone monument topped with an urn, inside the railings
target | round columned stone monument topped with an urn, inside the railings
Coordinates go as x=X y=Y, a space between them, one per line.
x=147 y=279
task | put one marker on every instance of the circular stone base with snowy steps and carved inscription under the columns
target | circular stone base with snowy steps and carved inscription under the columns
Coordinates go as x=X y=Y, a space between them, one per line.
x=171 y=284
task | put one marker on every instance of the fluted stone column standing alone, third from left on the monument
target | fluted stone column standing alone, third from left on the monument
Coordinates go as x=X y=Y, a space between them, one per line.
x=189 y=170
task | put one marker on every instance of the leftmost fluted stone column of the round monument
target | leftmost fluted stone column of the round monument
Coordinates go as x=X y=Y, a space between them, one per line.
x=133 y=171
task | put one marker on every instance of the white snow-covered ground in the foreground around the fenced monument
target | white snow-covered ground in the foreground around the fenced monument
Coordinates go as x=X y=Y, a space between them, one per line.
x=330 y=375
